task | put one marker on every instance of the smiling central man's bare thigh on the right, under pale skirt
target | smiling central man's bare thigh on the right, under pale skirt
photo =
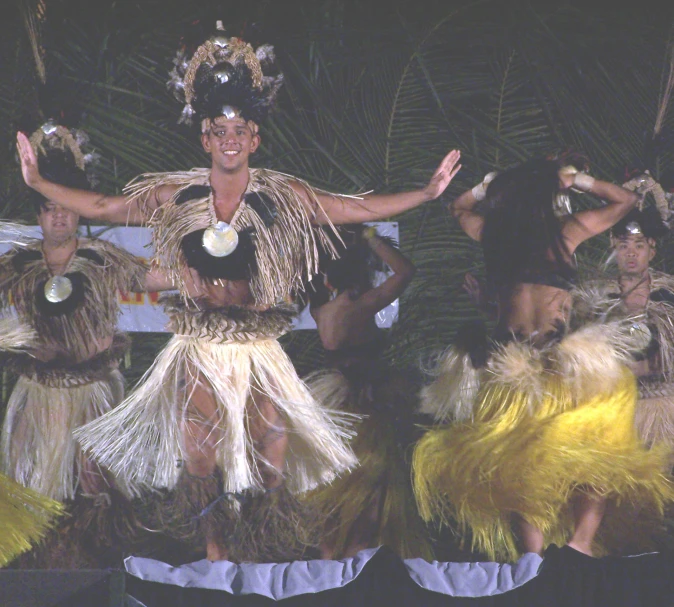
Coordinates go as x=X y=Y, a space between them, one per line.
x=268 y=431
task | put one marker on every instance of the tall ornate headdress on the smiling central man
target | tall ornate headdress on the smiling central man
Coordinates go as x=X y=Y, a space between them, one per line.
x=225 y=77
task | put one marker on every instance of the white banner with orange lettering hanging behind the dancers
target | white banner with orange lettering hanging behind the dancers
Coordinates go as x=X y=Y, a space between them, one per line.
x=141 y=312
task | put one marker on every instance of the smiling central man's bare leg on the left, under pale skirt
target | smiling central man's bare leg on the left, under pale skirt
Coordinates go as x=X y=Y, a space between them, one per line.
x=200 y=436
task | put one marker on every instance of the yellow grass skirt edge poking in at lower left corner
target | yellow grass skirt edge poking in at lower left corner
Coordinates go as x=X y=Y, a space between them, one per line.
x=25 y=516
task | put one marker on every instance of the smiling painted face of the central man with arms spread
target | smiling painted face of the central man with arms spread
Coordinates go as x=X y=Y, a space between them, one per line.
x=230 y=142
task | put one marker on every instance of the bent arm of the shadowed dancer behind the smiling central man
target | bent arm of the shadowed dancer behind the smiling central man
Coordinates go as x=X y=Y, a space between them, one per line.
x=403 y=271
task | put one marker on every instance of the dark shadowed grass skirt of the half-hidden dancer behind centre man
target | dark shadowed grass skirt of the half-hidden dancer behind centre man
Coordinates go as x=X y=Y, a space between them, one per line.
x=382 y=480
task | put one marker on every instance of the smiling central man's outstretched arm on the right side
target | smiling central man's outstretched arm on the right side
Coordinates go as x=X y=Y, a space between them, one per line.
x=374 y=207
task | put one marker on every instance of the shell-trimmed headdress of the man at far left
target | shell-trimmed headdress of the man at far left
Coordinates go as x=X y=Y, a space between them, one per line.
x=62 y=157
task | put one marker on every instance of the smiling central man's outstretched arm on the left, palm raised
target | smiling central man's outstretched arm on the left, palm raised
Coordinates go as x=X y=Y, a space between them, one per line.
x=92 y=205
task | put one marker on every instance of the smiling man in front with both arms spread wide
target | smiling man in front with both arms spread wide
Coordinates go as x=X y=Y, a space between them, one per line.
x=222 y=411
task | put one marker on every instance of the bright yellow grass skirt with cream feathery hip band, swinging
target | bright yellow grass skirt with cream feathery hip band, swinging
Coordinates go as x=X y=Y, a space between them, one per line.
x=545 y=424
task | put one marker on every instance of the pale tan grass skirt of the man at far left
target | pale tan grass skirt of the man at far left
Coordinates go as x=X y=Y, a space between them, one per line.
x=38 y=448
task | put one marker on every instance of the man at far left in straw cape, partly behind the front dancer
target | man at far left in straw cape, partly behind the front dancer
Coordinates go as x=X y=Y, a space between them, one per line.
x=66 y=289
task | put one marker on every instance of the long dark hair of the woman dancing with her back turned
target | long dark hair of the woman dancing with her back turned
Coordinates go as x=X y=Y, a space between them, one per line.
x=521 y=233
